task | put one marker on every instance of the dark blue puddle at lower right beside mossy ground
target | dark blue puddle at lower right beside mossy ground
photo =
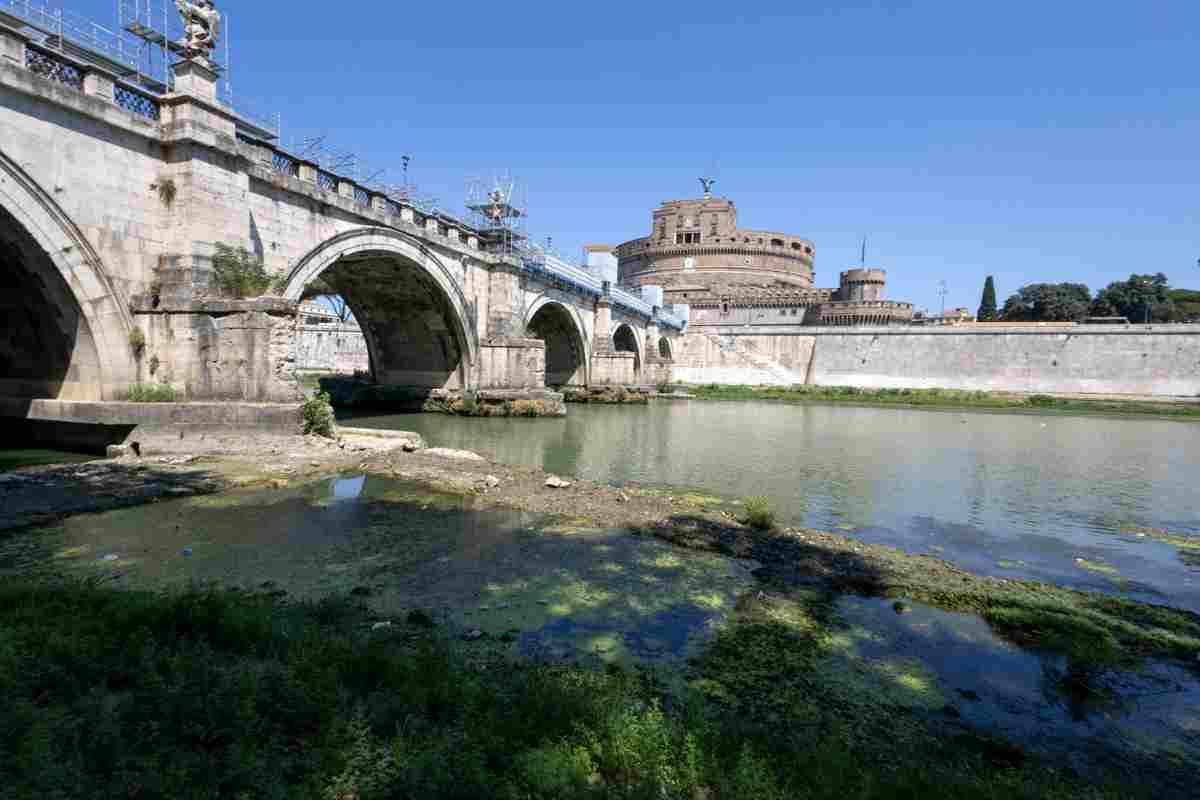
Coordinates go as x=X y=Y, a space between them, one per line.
x=1023 y=696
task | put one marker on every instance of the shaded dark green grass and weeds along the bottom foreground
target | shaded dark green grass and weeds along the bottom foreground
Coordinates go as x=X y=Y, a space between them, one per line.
x=231 y=695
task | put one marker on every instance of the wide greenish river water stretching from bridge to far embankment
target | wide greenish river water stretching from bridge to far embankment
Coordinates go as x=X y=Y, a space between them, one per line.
x=1099 y=503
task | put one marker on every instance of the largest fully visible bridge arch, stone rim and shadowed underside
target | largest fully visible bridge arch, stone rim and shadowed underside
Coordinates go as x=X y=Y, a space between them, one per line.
x=412 y=310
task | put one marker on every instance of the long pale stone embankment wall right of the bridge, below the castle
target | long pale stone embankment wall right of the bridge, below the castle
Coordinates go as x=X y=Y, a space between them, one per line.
x=1088 y=359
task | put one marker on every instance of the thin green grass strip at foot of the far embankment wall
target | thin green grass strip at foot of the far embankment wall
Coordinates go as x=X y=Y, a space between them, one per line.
x=944 y=399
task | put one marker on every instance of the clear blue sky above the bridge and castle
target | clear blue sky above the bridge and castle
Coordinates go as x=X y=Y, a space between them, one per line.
x=1053 y=141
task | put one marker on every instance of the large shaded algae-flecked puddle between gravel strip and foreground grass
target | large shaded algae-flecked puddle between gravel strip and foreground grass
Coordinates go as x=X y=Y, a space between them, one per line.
x=572 y=591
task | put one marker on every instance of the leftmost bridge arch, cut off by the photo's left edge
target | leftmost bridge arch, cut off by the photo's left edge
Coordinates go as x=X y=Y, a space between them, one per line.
x=67 y=333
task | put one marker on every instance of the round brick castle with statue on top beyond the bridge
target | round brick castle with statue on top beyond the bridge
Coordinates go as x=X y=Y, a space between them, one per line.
x=729 y=275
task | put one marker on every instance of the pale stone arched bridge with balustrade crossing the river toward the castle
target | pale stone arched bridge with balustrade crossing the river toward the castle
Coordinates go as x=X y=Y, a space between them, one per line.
x=113 y=203
